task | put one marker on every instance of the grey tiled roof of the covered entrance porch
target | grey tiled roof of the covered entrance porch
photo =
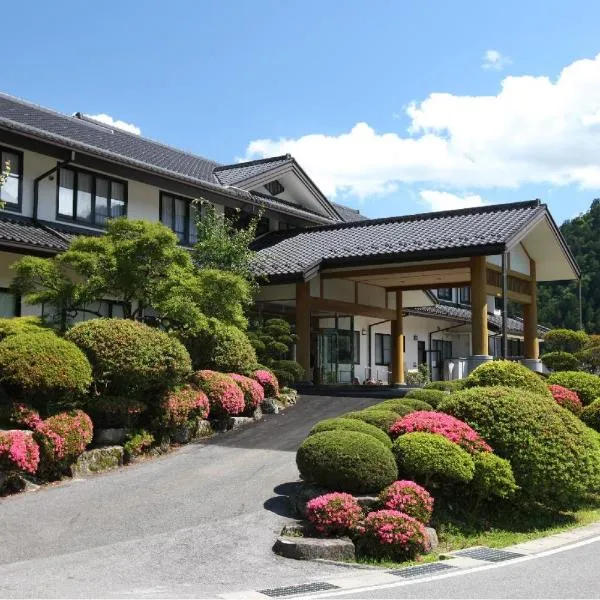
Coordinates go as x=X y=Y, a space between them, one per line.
x=397 y=238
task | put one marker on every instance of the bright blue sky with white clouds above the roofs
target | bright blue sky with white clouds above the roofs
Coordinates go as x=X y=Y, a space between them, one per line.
x=391 y=106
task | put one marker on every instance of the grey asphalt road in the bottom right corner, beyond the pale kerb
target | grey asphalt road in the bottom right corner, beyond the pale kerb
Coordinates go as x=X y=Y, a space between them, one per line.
x=569 y=573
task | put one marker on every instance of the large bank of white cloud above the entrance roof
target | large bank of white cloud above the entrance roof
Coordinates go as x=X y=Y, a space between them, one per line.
x=535 y=130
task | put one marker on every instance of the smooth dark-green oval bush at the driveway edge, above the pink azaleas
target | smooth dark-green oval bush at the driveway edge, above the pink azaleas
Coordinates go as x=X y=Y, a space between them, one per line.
x=346 y=461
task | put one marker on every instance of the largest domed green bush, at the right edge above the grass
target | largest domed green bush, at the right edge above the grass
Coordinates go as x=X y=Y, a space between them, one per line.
x=554 y=456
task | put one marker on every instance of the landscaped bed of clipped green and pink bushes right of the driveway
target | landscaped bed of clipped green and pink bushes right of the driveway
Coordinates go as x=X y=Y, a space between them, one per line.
x=501 y=457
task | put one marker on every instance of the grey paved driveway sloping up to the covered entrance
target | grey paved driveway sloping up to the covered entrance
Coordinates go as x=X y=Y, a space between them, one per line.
x=198 y=522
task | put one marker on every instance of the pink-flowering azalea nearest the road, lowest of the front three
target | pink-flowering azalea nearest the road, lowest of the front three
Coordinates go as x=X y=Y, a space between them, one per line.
x=393 y=535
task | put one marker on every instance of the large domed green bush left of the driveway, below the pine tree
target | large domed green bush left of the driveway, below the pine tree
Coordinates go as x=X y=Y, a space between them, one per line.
x=129 y=358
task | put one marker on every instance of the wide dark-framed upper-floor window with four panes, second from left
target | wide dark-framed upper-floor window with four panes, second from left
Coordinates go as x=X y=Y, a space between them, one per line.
x=88 y=198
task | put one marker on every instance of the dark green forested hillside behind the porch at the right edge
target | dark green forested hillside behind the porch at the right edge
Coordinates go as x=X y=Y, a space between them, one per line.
x=559 y=303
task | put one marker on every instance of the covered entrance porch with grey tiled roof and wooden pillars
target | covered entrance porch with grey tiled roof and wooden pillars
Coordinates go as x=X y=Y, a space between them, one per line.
x=338 y=283
